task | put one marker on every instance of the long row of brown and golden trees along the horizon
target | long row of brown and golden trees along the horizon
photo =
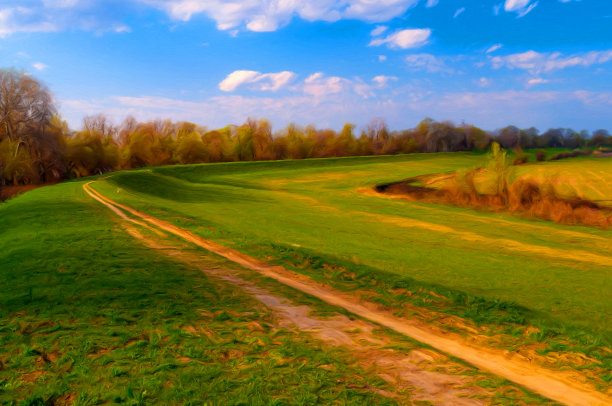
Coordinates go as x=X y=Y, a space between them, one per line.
x=37 y=146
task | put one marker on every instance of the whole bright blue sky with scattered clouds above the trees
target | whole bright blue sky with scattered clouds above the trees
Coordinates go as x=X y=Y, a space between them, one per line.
x=546 y=63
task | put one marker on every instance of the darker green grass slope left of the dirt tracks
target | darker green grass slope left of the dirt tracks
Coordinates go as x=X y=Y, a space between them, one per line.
x=89 y=315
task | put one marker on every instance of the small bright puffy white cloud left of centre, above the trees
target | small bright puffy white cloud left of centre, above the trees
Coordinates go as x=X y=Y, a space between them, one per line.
x=256 y=81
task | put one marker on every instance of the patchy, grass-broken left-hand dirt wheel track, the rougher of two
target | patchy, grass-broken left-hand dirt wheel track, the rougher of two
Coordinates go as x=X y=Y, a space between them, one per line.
x=421 y=373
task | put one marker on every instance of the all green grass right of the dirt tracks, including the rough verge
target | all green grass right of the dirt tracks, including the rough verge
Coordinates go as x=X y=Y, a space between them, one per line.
x=498 y=270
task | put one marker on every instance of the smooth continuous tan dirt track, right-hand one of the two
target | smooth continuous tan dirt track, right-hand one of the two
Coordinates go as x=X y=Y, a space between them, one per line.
x=556 y=385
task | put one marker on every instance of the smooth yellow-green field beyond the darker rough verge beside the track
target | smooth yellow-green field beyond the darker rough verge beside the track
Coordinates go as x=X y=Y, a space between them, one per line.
x=317 y=208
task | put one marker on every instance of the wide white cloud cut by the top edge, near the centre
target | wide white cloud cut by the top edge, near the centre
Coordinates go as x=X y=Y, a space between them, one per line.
x=269 y=15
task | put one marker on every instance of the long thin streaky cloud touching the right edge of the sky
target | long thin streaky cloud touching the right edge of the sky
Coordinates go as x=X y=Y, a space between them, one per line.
x=536 y=62
